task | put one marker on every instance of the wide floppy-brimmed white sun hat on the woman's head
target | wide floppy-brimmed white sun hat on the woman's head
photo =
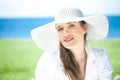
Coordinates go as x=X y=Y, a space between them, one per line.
x=46 y=36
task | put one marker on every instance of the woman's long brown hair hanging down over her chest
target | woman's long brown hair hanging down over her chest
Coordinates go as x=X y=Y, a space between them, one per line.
x=71 y=67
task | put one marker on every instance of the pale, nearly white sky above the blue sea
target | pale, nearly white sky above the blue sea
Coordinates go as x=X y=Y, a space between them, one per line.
x=38 y=8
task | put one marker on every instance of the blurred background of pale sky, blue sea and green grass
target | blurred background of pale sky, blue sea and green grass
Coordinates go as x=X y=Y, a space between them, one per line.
x=19 y=54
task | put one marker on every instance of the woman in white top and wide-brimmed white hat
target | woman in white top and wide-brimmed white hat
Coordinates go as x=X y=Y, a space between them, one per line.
x=67 y=54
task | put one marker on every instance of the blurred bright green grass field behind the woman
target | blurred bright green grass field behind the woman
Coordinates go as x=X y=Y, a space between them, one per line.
x=18 y=58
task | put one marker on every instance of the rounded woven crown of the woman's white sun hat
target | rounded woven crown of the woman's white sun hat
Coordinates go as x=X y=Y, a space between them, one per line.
x=69 y=12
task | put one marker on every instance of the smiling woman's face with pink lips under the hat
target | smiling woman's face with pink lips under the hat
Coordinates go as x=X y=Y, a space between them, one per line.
x=71 y=34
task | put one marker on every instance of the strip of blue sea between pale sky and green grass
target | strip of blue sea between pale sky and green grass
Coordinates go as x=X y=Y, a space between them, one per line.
x=20 y=27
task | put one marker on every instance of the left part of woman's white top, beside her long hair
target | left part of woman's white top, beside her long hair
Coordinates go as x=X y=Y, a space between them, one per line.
x=49 y=64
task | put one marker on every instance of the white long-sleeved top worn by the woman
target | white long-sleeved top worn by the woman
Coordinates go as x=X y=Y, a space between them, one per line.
x=98 y=67
